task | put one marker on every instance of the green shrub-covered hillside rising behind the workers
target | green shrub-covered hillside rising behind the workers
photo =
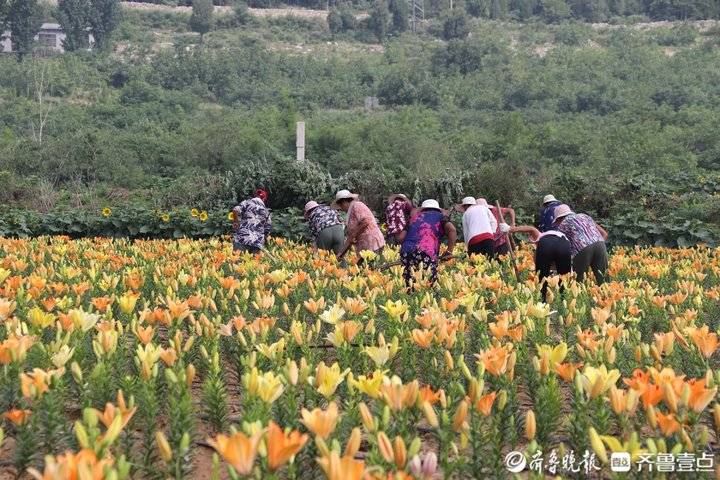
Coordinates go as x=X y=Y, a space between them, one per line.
x=617 y=120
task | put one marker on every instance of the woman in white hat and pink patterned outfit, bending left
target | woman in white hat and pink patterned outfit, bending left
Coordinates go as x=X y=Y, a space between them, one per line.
x=361 y=228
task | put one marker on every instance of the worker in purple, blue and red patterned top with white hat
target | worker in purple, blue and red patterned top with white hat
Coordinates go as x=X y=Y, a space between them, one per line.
x=421 y=247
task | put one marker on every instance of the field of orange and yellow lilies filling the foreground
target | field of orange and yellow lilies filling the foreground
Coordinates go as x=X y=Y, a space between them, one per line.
x=179 y=359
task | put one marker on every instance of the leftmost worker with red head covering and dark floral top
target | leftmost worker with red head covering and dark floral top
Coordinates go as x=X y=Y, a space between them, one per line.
x=251 y=223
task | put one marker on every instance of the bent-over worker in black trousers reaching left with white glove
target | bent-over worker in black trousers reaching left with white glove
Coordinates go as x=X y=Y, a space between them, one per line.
x=552 y=248
